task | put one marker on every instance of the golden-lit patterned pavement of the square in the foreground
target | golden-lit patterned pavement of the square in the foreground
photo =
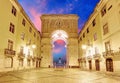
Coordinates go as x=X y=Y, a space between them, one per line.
x=47 y=75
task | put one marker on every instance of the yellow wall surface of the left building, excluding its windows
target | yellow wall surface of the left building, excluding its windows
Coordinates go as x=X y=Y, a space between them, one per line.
x=6 y=18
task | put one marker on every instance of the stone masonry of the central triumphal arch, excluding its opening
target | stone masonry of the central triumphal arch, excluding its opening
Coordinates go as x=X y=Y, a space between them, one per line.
x=66 y=23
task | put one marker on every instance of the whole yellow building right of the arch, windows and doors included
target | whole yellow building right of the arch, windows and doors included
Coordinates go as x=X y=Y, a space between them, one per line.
x=99 y=38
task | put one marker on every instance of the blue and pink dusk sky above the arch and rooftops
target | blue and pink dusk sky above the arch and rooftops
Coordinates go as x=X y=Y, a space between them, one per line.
x=35 y=8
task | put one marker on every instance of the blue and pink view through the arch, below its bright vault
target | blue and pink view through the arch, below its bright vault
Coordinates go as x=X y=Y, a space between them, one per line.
x=59 y=53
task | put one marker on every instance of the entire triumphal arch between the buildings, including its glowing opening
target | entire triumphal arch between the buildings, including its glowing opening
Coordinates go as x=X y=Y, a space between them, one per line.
x=59 y=34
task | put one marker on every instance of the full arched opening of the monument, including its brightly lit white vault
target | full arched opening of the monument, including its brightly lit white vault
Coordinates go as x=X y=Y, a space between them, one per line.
x=59 y=48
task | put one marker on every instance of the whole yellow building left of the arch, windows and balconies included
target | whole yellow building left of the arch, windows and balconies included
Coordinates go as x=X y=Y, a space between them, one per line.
x=20 y=40
